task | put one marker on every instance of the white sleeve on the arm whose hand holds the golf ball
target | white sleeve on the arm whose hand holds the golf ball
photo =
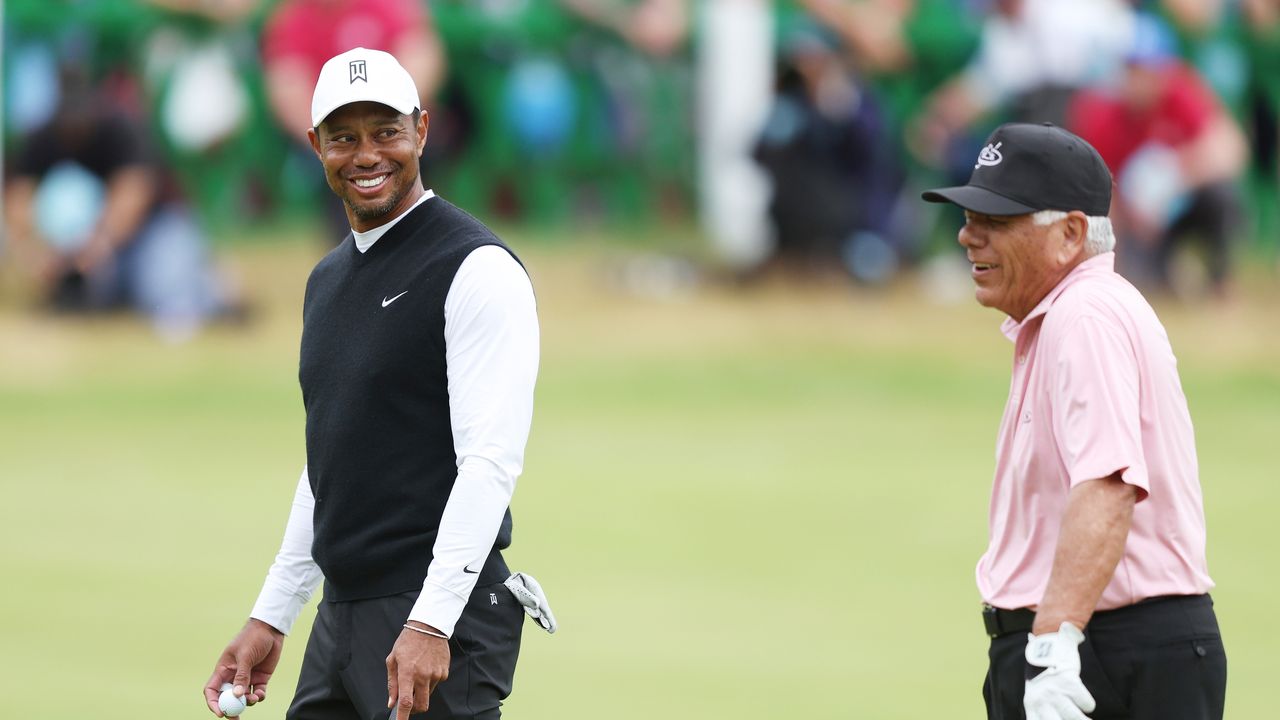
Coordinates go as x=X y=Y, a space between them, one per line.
x=294 y=577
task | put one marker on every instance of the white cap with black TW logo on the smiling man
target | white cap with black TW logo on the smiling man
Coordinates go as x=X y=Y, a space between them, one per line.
x=362 y=75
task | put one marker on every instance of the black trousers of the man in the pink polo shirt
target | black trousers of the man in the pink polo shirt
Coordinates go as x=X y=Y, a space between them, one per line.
x=1162 y=659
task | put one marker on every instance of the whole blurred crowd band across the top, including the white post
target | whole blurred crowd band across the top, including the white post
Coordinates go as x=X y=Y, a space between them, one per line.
x=798 y=131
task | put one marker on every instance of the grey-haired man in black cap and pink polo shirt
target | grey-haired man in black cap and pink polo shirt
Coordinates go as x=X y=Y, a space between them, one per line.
x=1095 y=582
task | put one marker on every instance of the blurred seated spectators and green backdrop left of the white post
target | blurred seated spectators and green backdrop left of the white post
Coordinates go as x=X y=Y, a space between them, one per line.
x=134 y=127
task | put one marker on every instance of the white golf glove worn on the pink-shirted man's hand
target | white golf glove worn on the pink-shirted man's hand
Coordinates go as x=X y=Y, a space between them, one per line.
x=1058 y=692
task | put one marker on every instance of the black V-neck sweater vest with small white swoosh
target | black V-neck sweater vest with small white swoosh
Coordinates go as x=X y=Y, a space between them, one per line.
x=380 y=439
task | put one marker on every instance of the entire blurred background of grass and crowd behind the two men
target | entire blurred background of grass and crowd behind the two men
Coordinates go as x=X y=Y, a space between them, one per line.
x=765 y=431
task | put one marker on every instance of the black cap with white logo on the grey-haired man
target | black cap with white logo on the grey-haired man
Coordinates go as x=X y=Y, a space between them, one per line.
x=1034 y=167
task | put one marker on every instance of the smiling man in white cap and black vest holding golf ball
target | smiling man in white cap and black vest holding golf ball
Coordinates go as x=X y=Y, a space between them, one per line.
x=418 y=368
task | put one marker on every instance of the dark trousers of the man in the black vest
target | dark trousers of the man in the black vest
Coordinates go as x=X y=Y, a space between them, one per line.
x=345 y=668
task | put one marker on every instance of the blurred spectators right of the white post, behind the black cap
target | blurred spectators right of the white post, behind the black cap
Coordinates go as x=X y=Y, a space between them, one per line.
x=1180 y=97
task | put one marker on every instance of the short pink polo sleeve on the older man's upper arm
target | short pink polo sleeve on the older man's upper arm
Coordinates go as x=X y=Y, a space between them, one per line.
x=1096 y=416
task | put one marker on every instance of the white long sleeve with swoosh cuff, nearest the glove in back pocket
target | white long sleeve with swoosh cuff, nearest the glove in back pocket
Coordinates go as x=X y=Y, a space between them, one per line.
x=491 y=335
